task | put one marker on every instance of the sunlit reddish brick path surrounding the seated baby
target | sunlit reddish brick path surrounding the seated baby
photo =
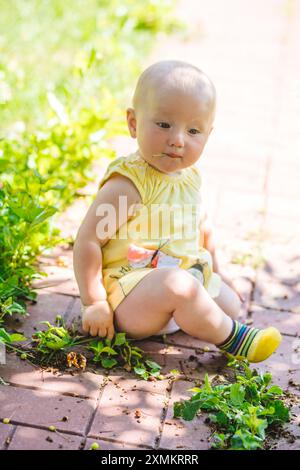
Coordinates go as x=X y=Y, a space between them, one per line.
x=250 y=171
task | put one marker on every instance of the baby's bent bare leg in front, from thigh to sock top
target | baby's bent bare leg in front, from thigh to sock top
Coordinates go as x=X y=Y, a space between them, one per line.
x=172 y=291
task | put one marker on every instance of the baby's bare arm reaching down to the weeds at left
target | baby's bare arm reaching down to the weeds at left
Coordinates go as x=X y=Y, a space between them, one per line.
x=97 y=318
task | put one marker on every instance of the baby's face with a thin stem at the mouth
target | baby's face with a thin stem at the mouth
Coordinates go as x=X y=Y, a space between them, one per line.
x=172 y=129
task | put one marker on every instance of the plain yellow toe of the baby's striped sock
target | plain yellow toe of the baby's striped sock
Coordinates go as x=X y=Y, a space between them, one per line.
x=264 y=344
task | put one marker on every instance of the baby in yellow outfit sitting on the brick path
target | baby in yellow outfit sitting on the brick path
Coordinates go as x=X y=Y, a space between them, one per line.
x=139 y=270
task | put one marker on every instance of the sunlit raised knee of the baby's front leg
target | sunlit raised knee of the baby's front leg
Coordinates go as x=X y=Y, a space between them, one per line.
x=181 y=284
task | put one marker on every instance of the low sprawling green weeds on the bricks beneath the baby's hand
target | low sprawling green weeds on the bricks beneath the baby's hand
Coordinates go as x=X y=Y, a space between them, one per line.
x=55 y=346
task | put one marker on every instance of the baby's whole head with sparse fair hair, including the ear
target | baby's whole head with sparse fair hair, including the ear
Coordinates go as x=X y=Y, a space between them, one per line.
x=172 y=114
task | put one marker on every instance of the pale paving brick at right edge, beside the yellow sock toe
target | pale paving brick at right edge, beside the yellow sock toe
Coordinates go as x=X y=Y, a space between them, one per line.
x=288 y=323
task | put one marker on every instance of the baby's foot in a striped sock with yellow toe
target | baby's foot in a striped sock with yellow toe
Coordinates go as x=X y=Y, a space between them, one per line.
x=249 y=343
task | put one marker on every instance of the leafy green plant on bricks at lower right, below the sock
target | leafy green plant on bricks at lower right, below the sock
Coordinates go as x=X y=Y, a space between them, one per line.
x=241 y=412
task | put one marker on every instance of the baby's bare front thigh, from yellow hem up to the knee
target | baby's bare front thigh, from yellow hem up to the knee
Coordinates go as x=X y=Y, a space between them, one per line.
x=150 y=305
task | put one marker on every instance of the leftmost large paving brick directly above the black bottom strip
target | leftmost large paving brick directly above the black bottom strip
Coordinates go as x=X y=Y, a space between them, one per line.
x=27 y=438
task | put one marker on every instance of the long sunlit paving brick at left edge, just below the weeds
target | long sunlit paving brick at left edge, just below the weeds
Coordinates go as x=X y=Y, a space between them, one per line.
x=18 y=372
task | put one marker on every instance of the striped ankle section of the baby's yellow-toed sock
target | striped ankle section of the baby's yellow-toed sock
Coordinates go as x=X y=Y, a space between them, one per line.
x=239 y=340
